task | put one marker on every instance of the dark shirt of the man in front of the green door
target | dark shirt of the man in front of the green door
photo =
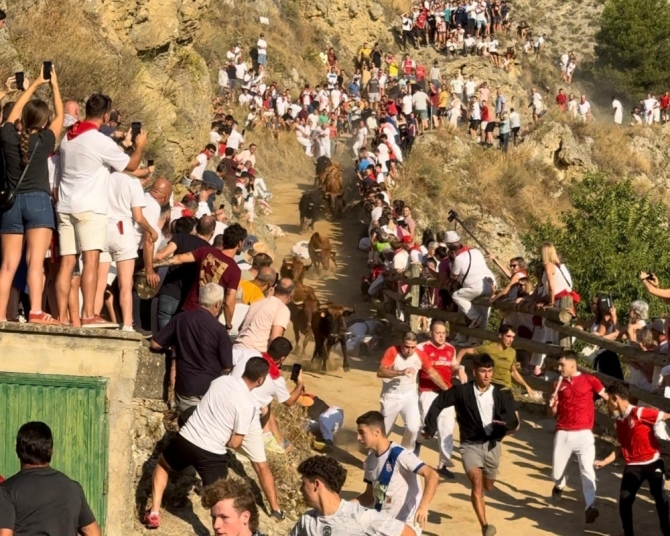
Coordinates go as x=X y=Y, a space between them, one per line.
x=43 y=501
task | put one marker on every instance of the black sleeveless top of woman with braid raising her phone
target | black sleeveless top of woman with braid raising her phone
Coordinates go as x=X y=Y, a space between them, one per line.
x=37 y=176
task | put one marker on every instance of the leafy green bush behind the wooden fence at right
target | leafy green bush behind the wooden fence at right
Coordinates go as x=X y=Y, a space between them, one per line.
x=609 y=236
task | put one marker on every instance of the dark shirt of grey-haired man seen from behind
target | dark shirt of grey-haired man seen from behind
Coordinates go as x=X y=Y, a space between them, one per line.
x=203 y=350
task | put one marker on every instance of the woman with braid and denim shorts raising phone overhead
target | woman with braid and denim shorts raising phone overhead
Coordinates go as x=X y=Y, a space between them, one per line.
x=31 y=216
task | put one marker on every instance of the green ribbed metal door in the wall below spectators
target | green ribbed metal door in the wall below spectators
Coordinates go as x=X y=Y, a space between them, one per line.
x=75 y=409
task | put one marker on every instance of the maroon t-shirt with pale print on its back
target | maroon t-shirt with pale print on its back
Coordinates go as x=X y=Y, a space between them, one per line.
x=213 y=267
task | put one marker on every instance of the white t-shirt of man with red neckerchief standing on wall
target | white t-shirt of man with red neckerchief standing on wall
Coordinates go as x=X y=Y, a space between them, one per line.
x=85 y=164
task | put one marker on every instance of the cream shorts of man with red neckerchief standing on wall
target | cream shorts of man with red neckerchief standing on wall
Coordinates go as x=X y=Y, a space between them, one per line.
x=86 y=231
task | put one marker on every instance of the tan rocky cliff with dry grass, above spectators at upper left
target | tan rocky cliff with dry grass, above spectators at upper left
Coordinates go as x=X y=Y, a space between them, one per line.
x=139 y=52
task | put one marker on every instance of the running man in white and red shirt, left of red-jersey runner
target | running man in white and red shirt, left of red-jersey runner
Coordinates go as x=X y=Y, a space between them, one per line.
x=399 y=396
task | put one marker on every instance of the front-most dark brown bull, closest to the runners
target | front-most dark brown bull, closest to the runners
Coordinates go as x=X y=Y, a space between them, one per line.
x=330 y=328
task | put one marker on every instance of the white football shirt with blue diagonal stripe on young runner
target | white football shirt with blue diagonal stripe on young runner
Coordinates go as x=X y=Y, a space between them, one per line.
x=401 y=498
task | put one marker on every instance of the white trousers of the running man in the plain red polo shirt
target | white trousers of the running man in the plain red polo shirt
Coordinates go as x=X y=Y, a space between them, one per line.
x=581 y=443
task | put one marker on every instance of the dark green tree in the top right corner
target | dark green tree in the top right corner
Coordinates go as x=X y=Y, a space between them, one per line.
x=633 y=44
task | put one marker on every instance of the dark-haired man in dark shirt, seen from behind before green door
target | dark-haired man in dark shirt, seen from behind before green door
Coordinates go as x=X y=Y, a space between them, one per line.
x=39 y=499
